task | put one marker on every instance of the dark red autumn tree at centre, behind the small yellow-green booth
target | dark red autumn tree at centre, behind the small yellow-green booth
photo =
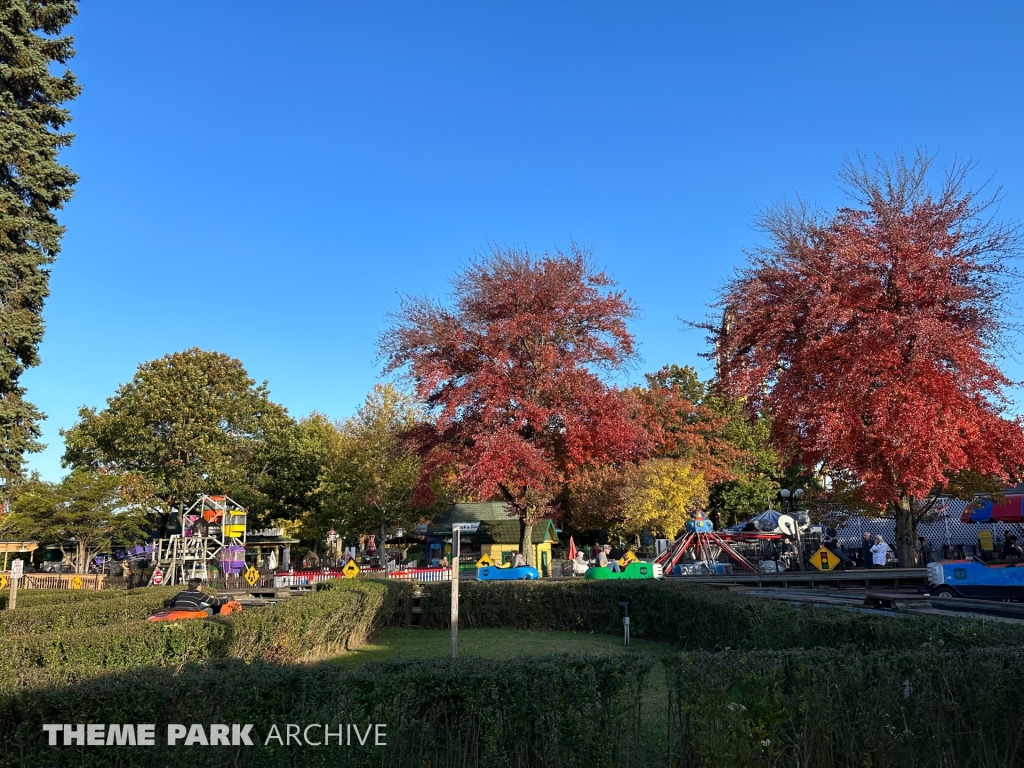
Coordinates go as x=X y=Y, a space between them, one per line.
x=511 y=372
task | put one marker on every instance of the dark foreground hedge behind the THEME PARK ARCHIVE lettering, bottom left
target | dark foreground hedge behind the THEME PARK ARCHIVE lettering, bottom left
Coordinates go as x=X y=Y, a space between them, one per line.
x=523 y=713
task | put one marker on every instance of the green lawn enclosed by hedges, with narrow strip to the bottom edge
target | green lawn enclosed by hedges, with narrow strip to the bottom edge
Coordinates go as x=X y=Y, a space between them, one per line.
x=396 y=644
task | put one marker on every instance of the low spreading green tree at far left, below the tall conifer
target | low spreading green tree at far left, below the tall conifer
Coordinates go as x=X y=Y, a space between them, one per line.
x=95 y=513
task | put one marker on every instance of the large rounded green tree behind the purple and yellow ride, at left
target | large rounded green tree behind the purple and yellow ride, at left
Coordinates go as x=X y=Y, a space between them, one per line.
x=191 y=422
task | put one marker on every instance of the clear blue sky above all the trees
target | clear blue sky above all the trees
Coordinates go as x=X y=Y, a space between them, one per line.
x=266 y=180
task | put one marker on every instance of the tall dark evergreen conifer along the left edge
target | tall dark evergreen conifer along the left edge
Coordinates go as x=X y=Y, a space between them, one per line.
x=33 y=187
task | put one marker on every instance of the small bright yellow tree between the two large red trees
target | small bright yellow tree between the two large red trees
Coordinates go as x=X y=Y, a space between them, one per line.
x=660 y=496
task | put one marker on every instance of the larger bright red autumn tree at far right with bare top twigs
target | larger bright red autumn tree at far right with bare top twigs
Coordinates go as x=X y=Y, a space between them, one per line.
x=871 y=336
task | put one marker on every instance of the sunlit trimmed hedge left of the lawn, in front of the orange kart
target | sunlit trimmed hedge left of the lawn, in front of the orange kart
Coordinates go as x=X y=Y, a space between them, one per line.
x=329 y=621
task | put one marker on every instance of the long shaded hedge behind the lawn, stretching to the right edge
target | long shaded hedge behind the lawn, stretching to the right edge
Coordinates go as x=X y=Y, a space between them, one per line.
x=698 y=618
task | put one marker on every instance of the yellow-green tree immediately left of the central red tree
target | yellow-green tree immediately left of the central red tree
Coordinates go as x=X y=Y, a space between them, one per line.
x=375 y=479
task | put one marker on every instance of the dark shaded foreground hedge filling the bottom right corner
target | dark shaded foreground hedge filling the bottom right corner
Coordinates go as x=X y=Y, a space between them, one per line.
x=827 y=709
